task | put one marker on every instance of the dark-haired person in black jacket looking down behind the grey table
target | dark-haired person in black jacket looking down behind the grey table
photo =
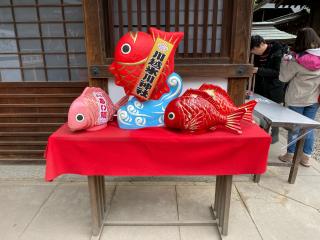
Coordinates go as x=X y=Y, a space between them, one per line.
x=267 y=67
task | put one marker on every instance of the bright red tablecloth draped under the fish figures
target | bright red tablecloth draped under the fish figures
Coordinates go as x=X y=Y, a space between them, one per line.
x=156 y=152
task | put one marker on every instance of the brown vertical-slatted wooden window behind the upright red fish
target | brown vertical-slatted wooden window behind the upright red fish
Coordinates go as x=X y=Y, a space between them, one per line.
x=198 y=19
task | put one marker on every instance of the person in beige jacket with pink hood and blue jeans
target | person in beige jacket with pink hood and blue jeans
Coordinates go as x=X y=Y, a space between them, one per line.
x=301 y=69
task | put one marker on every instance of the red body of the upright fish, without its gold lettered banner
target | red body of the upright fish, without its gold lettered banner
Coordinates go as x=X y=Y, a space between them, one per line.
x=130 y=57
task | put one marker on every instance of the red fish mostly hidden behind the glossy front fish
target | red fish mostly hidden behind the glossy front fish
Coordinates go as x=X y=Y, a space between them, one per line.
x=224 y=104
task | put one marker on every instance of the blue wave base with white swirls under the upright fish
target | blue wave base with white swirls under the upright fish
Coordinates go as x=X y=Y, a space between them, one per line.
x=136 y=114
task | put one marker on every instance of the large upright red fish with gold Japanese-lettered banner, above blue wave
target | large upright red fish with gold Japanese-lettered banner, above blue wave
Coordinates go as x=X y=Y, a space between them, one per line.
x=142 y=62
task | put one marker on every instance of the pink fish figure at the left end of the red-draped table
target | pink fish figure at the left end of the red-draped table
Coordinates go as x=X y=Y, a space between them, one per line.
x=92 y=110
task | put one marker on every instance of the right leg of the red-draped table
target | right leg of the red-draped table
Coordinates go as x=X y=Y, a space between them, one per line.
x=221 y=206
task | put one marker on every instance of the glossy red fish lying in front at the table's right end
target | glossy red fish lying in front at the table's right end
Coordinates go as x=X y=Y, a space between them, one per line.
x=195 y=111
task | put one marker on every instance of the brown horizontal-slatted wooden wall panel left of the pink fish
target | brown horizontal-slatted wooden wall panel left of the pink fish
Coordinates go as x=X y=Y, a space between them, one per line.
x=29 y=113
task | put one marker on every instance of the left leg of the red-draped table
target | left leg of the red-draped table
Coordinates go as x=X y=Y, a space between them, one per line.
x=98 y=204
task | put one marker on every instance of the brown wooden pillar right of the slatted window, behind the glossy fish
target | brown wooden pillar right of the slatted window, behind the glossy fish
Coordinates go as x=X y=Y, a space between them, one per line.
x=240 y=44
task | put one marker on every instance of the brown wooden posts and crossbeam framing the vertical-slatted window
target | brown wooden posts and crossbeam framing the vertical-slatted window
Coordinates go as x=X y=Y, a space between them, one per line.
x=237 y=69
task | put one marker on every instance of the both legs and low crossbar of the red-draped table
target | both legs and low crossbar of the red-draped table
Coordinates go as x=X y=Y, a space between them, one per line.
x=99 y=208
